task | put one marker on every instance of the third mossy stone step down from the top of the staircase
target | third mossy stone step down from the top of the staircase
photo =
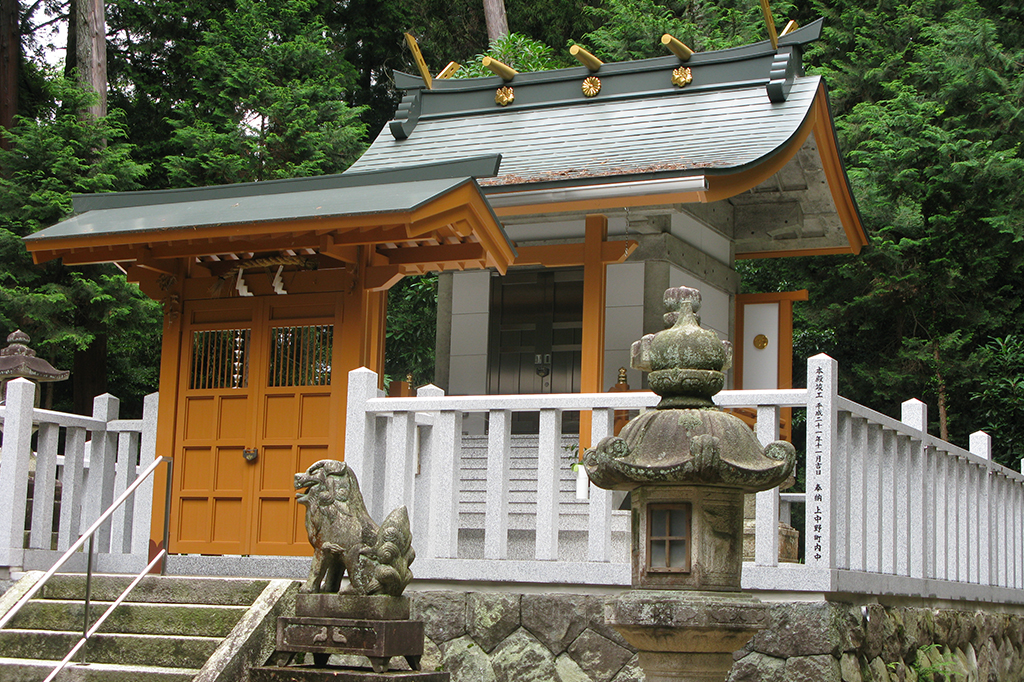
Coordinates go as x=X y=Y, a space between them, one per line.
x=181 y=652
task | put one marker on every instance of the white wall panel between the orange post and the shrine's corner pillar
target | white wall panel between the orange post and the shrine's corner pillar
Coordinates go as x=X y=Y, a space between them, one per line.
x=623 y=321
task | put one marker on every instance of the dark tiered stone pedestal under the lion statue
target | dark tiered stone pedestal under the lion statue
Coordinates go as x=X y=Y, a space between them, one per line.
x=375 y=627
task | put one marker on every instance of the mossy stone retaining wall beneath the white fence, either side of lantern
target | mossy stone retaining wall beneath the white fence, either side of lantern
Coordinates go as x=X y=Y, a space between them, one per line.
x=508 y=637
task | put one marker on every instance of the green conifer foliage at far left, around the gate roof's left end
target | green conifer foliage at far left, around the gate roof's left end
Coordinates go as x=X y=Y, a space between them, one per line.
x=67 y=310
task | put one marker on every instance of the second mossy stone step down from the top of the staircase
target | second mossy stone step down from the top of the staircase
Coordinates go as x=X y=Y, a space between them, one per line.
x=138 y=618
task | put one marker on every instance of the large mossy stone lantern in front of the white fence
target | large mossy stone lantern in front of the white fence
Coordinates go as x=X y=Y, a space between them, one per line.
x=688 y=465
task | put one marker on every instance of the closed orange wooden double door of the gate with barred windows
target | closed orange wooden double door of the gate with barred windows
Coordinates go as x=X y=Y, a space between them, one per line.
x=255 y=402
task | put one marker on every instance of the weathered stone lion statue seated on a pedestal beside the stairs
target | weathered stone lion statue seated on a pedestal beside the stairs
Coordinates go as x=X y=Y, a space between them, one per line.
x=347 y=540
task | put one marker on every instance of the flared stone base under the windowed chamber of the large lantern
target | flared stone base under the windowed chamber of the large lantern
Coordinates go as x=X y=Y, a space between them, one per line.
x=686 y=636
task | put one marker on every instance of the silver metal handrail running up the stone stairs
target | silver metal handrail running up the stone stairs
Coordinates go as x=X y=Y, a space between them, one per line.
x=91 y=537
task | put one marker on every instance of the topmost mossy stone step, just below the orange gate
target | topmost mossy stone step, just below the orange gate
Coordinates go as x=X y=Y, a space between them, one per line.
x=161 y=590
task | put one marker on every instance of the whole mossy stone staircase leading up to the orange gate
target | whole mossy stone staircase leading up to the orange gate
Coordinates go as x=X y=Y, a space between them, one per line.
x=169 y=630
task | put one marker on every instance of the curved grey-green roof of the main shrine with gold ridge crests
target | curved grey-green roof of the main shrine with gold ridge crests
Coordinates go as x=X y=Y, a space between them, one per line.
x=743 y=106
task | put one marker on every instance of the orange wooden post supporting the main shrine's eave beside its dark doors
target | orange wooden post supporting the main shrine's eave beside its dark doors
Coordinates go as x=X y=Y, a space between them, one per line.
x=595 y=280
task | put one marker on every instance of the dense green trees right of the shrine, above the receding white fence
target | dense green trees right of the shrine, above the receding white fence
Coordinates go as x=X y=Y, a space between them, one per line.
x=928 y=100
